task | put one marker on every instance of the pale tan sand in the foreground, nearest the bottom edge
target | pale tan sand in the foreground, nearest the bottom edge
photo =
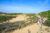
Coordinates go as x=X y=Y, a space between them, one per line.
x=31 y=28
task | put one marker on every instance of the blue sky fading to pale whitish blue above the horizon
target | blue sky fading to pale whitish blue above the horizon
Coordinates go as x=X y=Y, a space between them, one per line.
x=24 y=6
